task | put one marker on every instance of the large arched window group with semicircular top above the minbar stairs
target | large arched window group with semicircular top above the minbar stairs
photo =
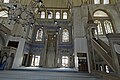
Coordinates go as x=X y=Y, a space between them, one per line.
x=104 y=23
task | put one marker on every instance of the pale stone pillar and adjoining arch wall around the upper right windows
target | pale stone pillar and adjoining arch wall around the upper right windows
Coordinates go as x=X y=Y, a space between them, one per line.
x=80 y=18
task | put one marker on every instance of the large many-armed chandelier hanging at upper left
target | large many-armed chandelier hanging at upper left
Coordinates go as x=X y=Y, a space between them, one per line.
x=23 y=15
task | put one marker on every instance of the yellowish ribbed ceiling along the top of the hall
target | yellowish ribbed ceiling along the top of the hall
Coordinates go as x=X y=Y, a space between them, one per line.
x=55 y=3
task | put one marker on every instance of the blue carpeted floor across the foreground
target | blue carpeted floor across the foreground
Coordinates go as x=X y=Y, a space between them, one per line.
x=46 y=74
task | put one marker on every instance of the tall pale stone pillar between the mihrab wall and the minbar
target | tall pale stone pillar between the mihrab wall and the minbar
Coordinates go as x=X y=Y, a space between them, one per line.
x=79 y=25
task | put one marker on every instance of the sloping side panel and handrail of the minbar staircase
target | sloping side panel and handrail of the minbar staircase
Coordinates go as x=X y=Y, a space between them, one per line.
x=103 y=52
